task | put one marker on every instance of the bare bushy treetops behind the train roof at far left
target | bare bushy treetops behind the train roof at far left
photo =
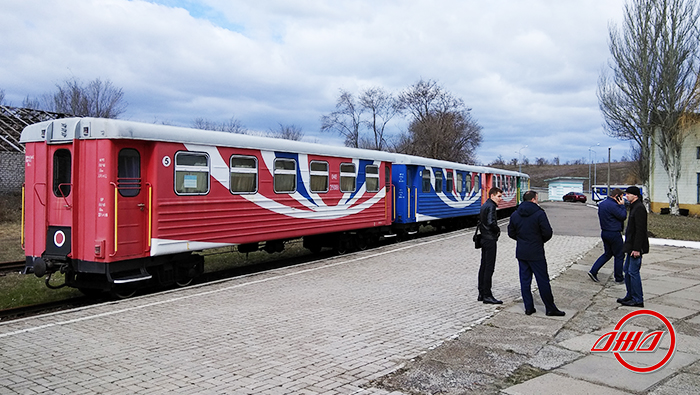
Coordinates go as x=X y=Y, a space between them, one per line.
x=97 y=98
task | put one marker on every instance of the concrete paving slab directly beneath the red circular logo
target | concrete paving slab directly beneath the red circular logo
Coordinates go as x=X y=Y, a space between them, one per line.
x=610 y=372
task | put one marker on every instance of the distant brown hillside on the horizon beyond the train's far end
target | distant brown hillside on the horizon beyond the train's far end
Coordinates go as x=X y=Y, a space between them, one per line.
x=620 y=173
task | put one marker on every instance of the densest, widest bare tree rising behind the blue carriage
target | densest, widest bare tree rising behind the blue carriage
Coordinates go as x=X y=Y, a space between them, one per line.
x=441 y=126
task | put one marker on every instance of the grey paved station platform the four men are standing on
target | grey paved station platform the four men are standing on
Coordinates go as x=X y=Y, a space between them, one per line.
x=358 y=324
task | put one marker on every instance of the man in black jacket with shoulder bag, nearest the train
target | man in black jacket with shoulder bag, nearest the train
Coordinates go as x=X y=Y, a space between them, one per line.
x=488 y=226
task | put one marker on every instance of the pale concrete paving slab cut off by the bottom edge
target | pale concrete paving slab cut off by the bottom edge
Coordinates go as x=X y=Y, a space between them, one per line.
x=555 y=384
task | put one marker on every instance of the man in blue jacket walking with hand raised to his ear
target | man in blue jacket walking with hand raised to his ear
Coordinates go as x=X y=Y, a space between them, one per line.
x=611 y=215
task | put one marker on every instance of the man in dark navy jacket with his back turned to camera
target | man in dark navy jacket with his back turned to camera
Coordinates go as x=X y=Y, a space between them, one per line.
x=530 y=227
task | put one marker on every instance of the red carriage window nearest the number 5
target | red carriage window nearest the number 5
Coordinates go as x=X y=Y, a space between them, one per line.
x=191 y=173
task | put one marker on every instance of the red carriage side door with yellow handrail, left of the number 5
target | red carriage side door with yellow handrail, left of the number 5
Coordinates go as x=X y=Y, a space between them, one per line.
x=132 y=202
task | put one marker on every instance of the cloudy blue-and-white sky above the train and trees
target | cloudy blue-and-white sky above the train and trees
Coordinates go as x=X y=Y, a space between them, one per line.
x=528 y=69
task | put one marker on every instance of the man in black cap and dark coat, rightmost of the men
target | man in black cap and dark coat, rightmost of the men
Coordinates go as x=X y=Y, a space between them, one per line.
x=636 y=244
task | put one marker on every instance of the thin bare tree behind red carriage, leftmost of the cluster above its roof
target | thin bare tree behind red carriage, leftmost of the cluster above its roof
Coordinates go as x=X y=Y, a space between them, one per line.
x=345 y=120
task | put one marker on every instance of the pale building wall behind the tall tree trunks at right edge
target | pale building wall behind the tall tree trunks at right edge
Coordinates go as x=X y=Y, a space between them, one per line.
x=689 y=181
